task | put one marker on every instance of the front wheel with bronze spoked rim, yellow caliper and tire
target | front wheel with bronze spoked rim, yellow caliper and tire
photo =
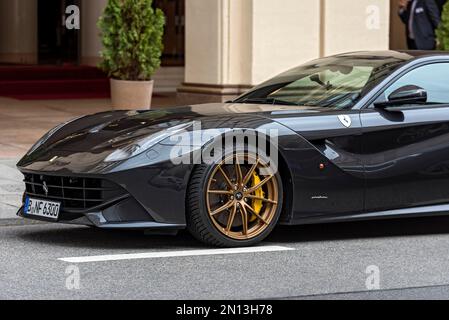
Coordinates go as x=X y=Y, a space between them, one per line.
x=233 y=203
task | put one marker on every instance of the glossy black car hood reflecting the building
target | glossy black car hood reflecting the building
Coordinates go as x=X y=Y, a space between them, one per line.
x=92 y=138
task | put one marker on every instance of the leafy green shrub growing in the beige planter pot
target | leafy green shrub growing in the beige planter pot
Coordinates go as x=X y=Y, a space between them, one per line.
x=132 y=34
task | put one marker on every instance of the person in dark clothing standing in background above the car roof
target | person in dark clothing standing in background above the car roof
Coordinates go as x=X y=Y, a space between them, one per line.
x=422 y=18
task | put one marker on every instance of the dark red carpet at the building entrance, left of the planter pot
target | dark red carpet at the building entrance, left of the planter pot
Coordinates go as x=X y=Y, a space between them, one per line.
x=53 y=82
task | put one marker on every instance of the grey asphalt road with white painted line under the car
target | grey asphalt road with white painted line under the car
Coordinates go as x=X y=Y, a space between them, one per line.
x=319 y=262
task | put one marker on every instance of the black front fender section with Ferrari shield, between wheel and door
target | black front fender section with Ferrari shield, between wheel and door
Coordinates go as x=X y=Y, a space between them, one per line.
x=332 y=139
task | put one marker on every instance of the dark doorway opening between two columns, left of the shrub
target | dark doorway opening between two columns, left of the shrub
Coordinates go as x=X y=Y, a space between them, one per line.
x=56 y=44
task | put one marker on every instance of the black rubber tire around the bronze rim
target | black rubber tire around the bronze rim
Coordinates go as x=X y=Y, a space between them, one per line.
x=199 y=223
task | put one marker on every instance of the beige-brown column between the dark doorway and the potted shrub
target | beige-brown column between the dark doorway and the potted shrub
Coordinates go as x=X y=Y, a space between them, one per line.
x=91 y=10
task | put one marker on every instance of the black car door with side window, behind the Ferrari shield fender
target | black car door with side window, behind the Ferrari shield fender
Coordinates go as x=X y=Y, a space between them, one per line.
x=405 y=149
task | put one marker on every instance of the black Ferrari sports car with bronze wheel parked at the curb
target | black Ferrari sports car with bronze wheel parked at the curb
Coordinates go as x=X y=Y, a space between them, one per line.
x=355 y=136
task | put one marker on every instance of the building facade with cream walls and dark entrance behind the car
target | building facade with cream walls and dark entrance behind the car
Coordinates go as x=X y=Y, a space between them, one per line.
x=214 y=49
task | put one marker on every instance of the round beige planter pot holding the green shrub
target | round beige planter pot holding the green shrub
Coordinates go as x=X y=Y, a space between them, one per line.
x=131 y=95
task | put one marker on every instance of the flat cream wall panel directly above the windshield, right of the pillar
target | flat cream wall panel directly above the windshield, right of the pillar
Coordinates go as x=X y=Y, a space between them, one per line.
x=285 y=34
